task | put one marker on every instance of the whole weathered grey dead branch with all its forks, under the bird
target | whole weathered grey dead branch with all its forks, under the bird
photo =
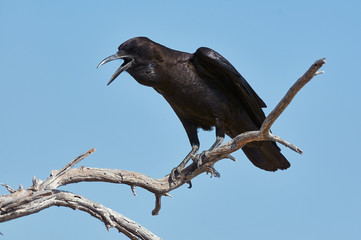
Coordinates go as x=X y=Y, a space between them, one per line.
x=44 y=194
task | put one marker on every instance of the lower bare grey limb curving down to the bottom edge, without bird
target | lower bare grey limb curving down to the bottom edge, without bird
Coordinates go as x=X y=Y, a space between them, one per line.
x=29 y=202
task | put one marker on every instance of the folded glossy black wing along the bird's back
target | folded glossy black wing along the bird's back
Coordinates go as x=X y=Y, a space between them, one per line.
x=210 y=63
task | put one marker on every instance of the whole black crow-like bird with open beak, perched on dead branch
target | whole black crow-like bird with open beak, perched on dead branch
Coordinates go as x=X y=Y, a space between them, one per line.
x=205 y=91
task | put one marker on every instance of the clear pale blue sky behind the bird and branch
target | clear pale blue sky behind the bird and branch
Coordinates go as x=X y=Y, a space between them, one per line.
x=55 y=105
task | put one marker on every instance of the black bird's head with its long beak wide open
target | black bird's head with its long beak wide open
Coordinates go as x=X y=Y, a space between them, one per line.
x=135 y=52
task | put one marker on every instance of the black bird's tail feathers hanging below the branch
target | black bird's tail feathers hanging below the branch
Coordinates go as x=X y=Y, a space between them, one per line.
x=266 y=155
